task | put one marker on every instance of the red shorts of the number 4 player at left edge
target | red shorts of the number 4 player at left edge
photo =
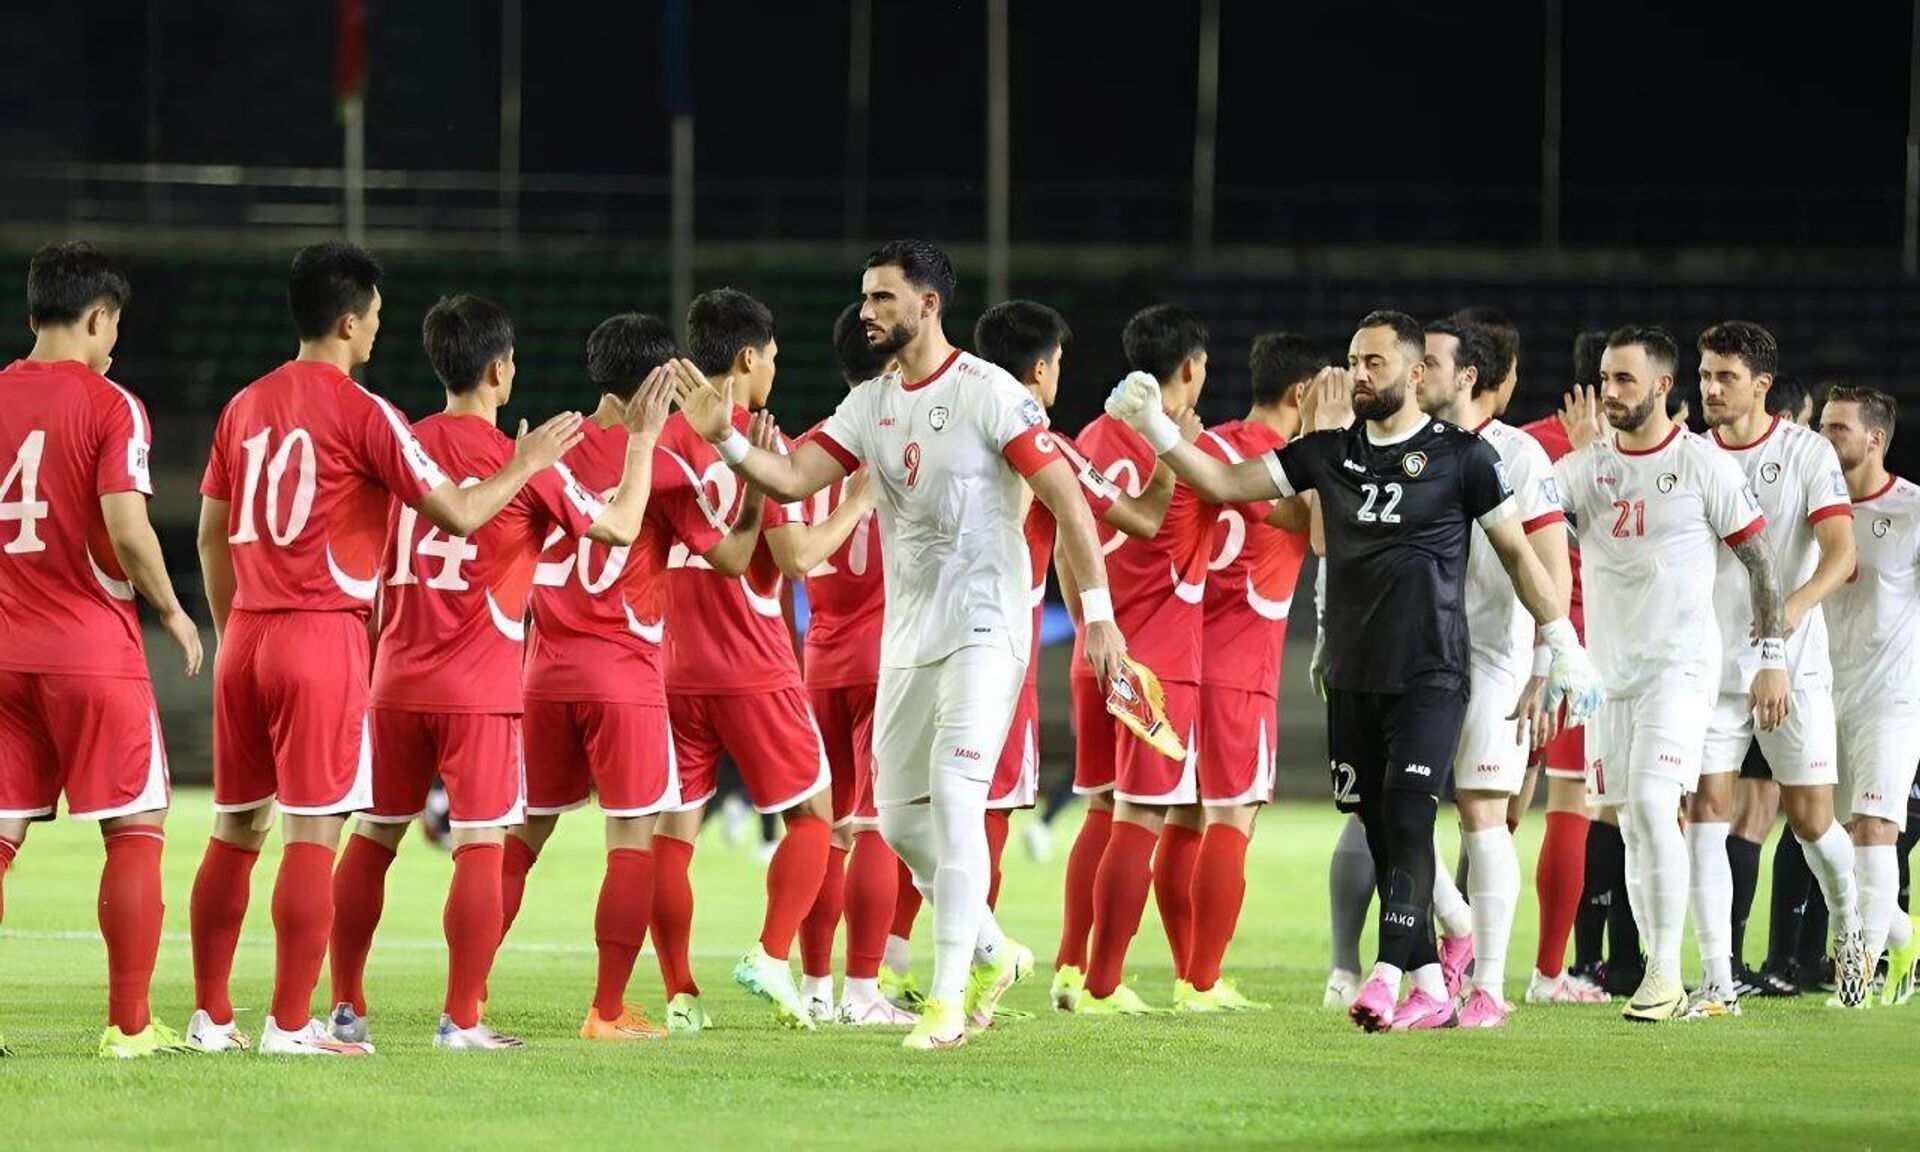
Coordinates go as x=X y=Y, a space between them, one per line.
x=93 y=738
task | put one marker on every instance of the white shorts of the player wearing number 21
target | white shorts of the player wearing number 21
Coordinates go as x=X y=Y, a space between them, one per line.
x=1658 y=734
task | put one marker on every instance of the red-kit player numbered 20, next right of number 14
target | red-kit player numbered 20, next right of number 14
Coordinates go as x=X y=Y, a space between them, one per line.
x=596 y=696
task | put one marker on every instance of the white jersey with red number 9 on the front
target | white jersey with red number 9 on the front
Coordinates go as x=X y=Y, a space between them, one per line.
x=948 y=458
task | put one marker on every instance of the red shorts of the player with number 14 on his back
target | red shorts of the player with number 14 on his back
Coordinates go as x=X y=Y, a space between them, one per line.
x=475 y=754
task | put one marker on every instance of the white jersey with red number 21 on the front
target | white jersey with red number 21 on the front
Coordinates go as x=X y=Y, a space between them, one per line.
x=1650 y=537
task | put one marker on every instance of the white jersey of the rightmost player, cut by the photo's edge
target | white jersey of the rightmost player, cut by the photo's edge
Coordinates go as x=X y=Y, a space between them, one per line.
x=1875 y=617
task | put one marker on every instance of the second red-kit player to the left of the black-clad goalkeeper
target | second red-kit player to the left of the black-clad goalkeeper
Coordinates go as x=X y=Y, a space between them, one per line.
x=1161 y=604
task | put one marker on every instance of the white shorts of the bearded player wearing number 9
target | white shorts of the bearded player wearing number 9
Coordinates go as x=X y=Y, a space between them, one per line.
x=946 y=717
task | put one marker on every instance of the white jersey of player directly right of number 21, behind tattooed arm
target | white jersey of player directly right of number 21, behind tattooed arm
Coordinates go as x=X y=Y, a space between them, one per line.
x=1796 y=477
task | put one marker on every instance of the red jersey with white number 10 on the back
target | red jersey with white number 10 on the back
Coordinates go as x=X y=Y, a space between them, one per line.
x=310 y=462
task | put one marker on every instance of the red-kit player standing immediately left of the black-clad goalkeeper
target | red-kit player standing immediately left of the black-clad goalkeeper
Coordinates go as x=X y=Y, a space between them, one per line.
x=1251 y=592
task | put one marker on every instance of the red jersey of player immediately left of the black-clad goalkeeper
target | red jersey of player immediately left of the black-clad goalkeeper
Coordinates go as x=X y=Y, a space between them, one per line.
x=1253 y=575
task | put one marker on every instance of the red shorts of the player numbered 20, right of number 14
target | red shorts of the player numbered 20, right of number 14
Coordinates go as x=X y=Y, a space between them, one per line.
x=623 y=754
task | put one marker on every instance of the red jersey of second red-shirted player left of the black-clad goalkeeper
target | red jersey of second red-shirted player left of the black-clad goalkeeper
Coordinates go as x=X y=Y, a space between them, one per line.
x=1159 y=585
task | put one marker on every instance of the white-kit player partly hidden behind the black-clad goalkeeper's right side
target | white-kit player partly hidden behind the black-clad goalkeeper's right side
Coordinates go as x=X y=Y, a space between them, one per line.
x=1466 y=385
